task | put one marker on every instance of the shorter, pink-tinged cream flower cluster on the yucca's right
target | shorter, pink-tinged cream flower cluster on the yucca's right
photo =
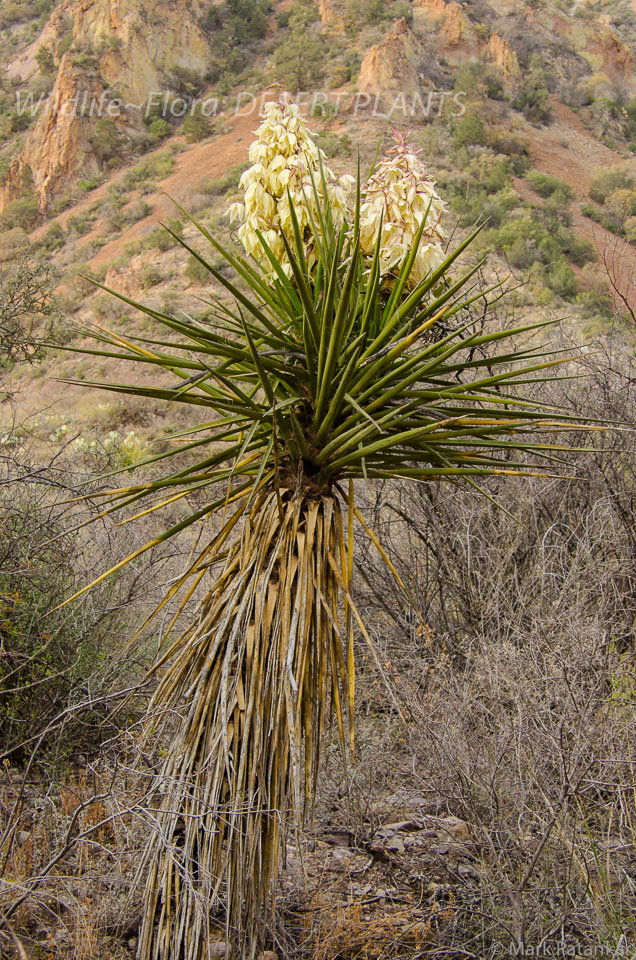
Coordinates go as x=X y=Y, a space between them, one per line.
x=399 y=195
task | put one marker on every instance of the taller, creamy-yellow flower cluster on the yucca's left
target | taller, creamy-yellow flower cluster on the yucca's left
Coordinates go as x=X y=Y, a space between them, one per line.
x=284 y=157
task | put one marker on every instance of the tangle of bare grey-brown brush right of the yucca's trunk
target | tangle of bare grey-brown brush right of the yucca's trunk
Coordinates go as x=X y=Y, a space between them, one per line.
x=521 y=689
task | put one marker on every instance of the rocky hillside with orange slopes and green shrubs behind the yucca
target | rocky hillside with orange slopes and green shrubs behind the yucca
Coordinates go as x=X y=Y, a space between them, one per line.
x=525 y=111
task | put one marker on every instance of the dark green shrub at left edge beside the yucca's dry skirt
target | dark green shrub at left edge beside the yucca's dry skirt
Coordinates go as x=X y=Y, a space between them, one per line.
x=53 y=660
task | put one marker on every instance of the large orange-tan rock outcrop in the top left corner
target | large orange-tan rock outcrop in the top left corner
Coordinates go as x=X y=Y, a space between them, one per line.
x=128 y=52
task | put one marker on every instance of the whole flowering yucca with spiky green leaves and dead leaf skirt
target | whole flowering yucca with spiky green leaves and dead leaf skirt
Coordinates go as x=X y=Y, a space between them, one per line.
x=336 y=355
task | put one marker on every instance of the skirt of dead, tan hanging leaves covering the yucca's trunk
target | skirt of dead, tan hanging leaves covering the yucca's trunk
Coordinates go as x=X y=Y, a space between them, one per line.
x=254 y=682
